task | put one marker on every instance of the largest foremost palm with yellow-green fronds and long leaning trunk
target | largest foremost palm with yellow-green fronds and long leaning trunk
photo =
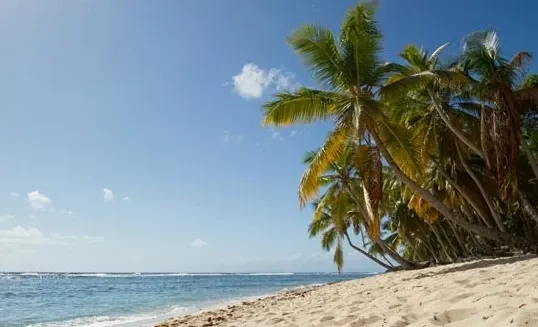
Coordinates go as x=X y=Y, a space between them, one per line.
x=351 y=73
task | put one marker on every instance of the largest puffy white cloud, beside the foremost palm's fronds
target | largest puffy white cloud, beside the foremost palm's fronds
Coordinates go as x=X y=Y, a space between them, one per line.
x=252 y=81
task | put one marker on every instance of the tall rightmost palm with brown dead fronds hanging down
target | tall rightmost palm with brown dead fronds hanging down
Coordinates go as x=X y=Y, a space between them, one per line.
x=497 y=81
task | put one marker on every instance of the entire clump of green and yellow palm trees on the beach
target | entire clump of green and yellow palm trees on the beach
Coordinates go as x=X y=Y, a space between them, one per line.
x=428 y=161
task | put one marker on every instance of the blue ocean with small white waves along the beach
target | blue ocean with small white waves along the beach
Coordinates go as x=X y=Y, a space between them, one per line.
x=112 y=299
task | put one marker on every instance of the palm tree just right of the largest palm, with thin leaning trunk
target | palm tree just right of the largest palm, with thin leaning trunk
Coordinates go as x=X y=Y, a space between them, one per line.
x=427 y=82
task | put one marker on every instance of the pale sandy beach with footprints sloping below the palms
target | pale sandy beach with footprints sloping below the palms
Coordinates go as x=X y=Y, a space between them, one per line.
x=500 y=292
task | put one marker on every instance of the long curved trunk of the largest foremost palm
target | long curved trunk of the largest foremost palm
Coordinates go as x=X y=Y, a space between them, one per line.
x=436 y=203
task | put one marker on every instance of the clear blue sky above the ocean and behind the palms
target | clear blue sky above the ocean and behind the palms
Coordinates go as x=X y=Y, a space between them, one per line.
x=130 y=130
